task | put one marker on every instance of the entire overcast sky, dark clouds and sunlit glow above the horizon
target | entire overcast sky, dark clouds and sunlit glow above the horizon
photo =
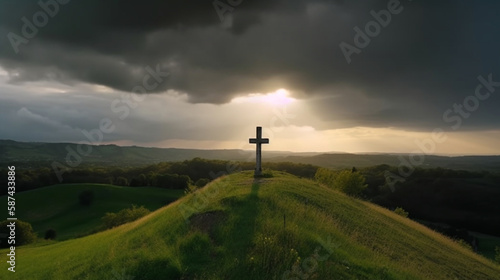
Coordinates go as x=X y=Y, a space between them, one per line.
x=317 y=75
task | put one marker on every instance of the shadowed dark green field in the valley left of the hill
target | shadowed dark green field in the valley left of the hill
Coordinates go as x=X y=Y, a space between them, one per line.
x=57 y=207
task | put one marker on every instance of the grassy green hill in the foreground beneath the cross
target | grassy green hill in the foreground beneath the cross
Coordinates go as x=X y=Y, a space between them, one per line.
x=235 y=229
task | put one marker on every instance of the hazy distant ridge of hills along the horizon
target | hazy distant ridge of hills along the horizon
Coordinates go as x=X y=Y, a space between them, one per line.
x=34 y=154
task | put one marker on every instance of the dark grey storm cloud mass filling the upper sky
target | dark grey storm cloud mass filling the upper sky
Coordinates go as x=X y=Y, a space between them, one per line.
x=427 y=58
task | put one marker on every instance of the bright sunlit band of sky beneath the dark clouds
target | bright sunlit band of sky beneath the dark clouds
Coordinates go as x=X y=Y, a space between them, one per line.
x=167 y=120
